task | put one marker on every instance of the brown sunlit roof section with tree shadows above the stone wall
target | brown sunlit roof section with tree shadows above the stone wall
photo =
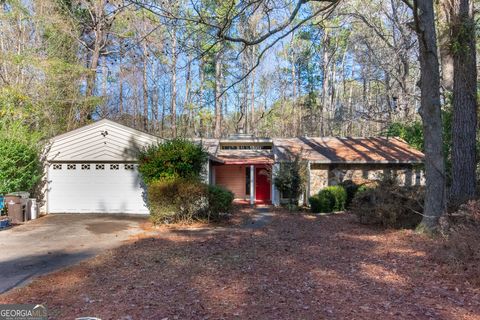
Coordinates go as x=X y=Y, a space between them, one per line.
x=347 y=150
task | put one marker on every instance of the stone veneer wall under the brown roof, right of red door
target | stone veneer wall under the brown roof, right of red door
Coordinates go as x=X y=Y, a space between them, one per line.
x=323 y=175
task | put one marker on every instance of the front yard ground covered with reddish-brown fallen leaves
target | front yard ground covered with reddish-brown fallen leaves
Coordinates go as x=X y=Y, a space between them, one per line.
x=295 y=267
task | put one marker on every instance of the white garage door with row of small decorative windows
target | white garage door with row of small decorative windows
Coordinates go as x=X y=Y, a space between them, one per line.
x=96 y=188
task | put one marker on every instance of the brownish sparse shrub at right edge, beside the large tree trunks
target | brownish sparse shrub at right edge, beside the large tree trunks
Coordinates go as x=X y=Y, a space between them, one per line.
x=461 y=240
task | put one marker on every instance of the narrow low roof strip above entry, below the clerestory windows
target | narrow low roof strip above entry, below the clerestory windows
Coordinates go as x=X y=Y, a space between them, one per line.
x=245 y=156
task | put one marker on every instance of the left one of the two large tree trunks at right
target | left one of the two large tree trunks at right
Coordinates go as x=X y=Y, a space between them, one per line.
x=430 y=112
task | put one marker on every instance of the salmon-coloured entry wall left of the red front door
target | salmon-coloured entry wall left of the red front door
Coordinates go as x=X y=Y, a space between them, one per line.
x=233 y=178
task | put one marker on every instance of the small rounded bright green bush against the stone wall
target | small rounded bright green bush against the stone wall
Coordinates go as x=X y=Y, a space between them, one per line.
x=328 y=200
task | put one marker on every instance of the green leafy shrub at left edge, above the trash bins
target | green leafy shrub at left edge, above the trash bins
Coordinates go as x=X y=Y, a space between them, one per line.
x=20 y=168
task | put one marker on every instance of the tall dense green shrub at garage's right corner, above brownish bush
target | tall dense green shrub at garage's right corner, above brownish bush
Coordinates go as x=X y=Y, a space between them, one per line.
x=177 y=158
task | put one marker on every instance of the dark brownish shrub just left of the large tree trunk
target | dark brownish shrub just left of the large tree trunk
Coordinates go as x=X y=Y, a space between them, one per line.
x=389 y=205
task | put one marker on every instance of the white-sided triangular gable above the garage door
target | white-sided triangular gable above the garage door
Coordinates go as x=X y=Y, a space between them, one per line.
x=104 y=140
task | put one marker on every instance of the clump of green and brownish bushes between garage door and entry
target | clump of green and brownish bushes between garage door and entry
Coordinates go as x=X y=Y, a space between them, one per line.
x=172 y=171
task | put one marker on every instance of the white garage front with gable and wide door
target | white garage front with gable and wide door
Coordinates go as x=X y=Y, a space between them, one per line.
x=94 y=170
